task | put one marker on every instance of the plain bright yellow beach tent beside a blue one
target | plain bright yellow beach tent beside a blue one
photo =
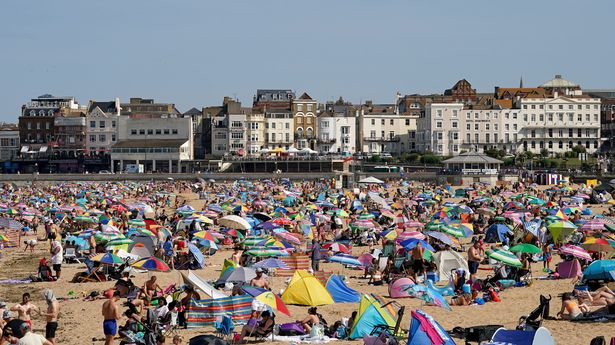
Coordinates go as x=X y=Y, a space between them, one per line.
x=305 y=289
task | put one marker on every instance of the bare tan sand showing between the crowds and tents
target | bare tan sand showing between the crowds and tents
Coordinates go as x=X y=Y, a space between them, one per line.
x=81 y=321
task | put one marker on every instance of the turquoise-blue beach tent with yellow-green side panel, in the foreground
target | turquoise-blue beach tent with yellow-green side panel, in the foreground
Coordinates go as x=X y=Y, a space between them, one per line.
x=372 y=311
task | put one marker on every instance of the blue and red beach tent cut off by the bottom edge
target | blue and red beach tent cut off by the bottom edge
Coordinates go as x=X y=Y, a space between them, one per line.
x=424 y=330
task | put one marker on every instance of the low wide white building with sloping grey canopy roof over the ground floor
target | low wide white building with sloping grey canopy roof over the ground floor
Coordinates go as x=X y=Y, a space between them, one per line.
x=159 y=142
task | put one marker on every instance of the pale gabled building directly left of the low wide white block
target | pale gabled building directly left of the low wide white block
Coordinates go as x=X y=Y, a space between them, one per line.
x=102 y=120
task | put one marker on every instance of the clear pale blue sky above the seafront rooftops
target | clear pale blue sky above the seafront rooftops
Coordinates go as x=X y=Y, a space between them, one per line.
x=193 y=53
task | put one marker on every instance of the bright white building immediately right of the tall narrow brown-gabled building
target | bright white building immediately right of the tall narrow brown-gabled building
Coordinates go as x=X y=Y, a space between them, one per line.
x=336 y=133
